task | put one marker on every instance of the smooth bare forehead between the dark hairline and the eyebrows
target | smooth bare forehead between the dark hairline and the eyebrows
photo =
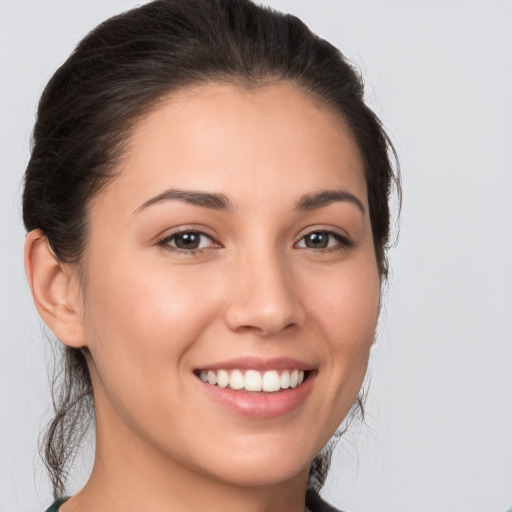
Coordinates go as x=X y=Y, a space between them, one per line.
x=274 y=140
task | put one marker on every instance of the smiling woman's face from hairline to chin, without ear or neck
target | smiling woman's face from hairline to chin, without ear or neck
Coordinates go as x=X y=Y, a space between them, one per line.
x=231 y=288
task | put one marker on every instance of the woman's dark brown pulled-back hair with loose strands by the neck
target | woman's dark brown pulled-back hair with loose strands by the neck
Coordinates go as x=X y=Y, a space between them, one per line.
x=120 y=72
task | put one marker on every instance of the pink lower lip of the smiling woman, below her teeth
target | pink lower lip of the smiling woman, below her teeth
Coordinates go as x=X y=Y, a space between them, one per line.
x=259 y=404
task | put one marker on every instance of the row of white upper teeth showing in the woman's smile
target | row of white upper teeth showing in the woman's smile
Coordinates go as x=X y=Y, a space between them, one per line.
x=253 y=380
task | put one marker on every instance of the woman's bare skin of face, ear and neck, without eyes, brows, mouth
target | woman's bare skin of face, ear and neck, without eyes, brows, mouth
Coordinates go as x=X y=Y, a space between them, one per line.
x=150 y=316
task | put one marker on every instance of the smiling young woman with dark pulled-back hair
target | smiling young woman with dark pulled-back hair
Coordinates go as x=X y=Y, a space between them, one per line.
x=207 y=208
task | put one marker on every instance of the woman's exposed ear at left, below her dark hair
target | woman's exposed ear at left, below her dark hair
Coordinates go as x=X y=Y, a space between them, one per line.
x=55 y=289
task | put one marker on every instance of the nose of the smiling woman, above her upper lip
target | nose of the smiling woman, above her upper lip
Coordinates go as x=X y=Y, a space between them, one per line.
x=263 y=297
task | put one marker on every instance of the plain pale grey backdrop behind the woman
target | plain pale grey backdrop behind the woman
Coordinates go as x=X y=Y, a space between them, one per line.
x=439 y=432
